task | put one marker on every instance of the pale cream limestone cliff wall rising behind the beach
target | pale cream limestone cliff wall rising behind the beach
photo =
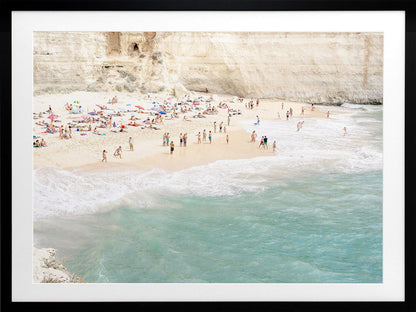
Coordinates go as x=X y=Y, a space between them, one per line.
x=311 y=67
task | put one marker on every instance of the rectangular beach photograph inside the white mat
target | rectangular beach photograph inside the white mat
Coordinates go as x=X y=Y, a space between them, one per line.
x=207 y=157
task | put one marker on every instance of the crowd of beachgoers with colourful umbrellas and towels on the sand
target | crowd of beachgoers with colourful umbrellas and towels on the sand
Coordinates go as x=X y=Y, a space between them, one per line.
x=214 y=114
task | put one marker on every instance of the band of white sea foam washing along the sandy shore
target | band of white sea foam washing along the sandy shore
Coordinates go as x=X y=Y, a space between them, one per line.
x=320 y=146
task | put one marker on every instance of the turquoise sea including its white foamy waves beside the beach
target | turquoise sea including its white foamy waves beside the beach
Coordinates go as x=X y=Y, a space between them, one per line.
x=311 y=214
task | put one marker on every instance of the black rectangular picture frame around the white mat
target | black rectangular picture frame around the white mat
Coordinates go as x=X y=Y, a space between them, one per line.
x=8 y=6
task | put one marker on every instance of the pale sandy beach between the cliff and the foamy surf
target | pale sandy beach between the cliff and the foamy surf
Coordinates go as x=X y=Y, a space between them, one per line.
x=86 y=150
